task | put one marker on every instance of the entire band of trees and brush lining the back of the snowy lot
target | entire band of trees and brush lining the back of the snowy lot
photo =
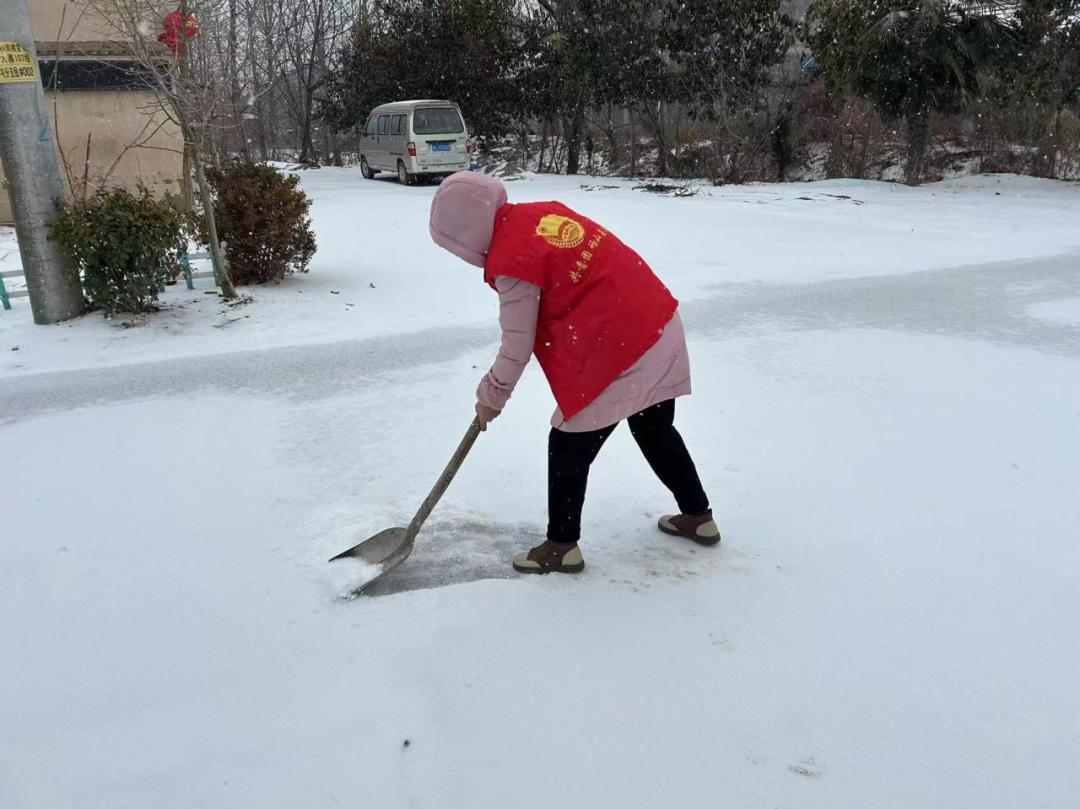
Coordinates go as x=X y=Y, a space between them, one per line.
x=704 y=88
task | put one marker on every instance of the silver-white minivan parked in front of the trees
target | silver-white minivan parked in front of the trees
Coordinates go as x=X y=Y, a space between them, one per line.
x=415 y=140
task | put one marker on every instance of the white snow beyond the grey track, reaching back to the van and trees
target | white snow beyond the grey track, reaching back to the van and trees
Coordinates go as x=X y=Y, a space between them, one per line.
x=377 y=273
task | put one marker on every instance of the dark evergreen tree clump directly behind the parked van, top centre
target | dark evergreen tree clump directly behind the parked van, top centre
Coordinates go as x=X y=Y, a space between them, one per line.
x=564 y=63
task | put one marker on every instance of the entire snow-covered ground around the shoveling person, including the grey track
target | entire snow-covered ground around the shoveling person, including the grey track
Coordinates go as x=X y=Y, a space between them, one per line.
x=887 y=416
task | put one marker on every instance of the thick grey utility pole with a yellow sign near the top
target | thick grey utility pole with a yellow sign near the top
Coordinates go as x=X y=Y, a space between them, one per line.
x=33 y=172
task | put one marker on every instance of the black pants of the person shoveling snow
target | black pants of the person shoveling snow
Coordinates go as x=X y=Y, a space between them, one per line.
x=571 y=455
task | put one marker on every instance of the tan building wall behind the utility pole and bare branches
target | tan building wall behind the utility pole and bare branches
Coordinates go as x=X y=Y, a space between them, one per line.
x=116 y=122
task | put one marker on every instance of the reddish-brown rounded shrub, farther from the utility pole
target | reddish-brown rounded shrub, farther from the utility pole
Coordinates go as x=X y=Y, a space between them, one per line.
x=263 y=220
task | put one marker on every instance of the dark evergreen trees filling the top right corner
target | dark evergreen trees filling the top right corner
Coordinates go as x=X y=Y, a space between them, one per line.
x=914 y=60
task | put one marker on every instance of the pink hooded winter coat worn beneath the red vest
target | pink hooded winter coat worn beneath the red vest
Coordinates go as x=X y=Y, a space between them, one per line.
x=463 y=222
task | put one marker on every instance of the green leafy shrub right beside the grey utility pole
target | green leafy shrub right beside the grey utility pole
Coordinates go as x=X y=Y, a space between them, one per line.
x=127 y=247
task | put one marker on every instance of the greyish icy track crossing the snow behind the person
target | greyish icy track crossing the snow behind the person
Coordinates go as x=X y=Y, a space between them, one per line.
x=995 y=303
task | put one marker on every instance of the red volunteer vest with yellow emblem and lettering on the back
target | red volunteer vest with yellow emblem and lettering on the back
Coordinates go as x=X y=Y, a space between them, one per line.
x=601 y=306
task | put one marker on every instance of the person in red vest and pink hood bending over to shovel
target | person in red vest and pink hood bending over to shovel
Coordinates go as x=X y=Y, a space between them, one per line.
x=607 y=335
